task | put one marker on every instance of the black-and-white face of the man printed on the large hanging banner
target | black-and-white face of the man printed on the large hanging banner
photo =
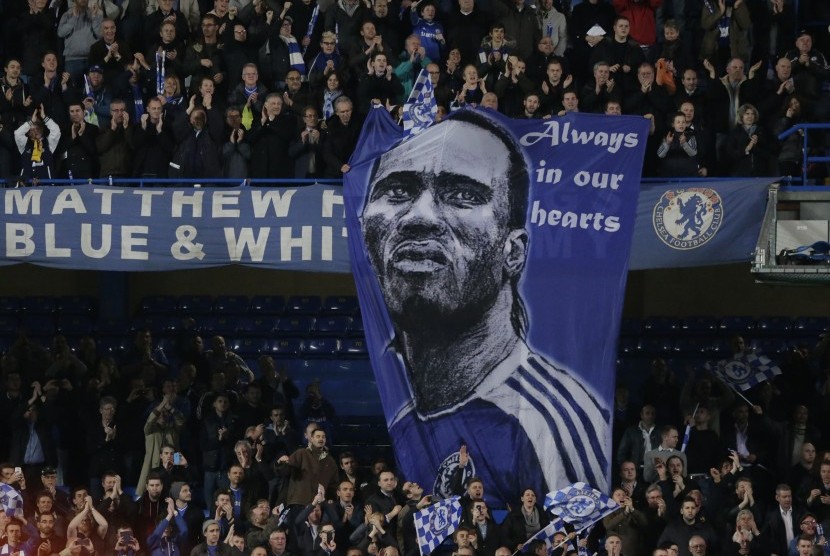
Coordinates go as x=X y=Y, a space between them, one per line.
x=435 y=222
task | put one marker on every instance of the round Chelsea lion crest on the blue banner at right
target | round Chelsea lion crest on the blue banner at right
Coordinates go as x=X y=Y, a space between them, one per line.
x=688 y=218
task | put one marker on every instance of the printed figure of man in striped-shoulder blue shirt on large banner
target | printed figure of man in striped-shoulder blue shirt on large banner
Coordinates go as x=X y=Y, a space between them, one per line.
x=448 y=244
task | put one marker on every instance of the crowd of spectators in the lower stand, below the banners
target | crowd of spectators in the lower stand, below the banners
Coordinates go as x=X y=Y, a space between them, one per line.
x=228 y=467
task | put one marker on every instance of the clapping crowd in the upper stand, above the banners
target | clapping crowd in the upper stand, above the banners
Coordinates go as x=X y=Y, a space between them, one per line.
x=201 y=89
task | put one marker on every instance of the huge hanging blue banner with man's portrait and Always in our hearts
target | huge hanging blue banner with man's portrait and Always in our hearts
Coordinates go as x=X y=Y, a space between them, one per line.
x=490 y=257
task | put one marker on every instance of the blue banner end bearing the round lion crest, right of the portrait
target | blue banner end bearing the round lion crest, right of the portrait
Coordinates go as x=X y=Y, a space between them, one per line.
x=698 y=224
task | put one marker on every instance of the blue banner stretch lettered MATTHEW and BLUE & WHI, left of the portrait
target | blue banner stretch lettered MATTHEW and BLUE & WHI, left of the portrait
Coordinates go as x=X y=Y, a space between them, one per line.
x=141 y=229
